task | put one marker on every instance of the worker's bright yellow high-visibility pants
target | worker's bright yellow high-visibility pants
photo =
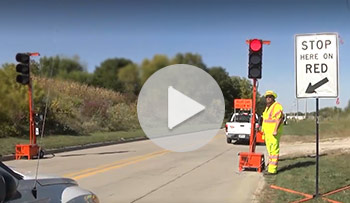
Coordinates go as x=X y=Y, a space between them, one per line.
x=273 y=149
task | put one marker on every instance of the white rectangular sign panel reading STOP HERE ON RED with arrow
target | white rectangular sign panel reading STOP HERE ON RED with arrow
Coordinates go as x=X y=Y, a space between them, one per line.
x=316 y=65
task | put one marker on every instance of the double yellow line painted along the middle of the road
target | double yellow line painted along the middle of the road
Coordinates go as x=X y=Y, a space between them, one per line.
x=118 y=164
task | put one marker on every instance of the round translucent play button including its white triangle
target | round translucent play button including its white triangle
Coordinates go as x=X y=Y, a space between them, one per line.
x=180 y=108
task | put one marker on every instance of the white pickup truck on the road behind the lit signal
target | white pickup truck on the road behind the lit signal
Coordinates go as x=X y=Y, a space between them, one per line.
x=238 y=127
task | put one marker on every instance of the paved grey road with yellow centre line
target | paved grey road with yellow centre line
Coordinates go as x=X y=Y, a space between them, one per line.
x=142 y=172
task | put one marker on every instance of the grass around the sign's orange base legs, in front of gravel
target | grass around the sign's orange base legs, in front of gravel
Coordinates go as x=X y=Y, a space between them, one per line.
x=298 y=174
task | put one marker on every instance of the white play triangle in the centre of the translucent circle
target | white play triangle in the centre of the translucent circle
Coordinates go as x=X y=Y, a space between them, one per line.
x=180 y=107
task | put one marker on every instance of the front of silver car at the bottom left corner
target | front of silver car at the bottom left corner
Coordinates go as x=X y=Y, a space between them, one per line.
x=15 y=188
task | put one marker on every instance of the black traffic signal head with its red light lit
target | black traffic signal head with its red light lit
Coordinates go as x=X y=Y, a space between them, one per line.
x=255 y=59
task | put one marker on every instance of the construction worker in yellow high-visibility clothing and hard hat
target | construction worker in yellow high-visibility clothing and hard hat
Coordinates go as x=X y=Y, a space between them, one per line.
x=272 y=128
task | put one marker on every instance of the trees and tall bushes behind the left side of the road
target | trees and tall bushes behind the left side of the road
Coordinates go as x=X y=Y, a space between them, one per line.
x=84 y=106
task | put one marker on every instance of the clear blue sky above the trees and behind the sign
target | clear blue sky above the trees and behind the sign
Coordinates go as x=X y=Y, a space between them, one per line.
x=217 y=30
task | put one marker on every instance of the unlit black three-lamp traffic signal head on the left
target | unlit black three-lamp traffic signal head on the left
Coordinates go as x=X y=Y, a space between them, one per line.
x=23 y=68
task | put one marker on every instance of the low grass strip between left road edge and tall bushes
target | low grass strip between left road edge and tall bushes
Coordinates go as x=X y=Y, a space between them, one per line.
x=7 y=145
